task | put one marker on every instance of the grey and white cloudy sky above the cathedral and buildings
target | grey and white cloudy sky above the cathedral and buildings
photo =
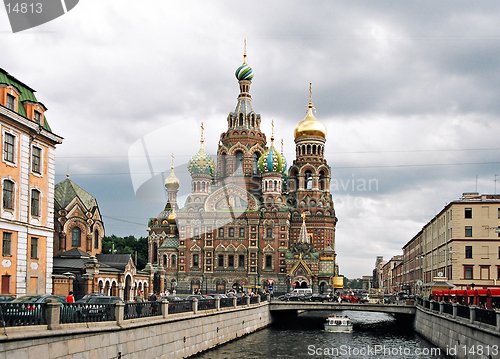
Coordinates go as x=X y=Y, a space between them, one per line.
x=407 y=90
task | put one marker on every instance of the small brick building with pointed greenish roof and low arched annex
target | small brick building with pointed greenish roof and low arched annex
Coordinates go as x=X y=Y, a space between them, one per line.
x=79 y=264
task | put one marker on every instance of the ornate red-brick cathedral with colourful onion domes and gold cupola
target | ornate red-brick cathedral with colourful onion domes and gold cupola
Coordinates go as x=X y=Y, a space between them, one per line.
x=249 y=223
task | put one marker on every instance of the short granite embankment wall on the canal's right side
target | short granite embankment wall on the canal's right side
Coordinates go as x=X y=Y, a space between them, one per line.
x=458 y=337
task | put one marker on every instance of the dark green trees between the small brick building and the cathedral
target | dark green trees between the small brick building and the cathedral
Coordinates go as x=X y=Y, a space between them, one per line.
x=127 y=245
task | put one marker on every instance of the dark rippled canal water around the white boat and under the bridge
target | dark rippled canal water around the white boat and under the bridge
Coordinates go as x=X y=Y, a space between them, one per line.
x=375 y=335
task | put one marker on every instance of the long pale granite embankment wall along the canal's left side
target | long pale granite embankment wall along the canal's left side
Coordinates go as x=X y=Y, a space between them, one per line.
x=177 y=336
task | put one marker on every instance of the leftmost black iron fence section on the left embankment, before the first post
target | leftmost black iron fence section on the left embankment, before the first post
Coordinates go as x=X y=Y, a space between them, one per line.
x=21 y=314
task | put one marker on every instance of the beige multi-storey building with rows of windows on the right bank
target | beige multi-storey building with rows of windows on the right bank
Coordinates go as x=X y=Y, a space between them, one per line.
x=461 y=243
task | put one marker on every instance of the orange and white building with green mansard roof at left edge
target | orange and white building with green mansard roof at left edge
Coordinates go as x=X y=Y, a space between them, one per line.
x=27 y=183
